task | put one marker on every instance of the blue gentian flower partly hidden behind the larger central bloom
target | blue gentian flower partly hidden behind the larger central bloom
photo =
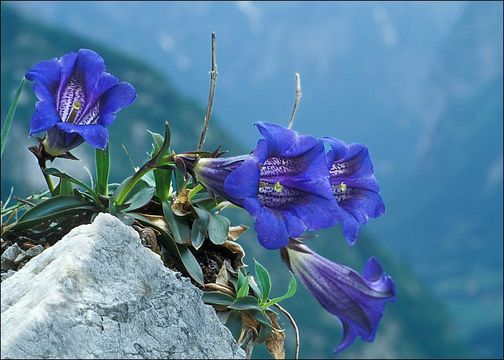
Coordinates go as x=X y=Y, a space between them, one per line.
x=354 y=186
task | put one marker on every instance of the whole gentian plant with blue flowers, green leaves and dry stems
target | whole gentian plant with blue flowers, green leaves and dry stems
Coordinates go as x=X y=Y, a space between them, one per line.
x=291 y=183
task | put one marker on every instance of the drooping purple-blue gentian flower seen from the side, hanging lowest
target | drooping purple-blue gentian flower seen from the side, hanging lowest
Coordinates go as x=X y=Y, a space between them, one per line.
x=357 y=300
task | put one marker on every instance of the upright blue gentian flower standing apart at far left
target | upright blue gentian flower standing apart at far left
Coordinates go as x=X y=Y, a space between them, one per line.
x=77 y=99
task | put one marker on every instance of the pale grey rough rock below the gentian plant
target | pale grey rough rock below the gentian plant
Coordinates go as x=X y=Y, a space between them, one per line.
x=98 y=293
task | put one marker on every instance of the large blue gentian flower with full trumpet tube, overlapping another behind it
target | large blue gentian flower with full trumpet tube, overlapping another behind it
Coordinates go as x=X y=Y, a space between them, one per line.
x=283 y=184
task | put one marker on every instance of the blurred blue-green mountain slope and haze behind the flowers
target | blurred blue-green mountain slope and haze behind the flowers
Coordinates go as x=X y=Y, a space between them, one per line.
x=419 y=83
